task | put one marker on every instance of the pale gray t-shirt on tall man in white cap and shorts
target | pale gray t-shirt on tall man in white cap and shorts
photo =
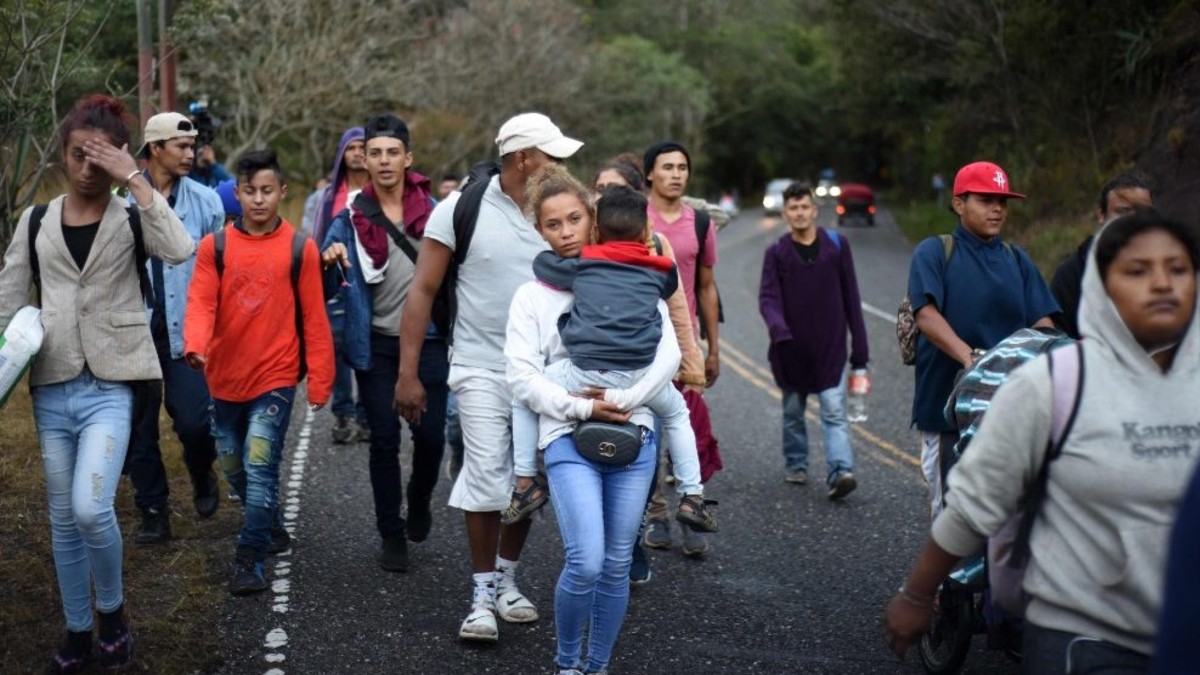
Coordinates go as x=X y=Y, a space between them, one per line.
x=499 y=262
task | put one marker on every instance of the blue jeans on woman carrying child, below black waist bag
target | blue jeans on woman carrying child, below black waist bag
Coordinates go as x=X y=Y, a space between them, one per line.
x=599 y=510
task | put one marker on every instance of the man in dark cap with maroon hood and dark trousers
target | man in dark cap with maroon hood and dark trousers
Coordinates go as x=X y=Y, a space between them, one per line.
x=376 y=241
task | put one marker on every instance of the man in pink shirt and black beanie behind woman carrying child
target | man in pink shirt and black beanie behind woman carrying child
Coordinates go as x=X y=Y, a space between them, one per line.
x=668 y=170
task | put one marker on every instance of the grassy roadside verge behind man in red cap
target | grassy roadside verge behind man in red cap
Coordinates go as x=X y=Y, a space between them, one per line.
x=1047 y=242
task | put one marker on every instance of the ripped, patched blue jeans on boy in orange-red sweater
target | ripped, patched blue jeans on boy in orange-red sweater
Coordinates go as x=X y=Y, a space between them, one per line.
x=250 y=447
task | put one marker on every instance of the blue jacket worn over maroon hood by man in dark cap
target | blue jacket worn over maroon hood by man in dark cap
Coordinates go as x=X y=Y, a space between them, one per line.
x=356 y=297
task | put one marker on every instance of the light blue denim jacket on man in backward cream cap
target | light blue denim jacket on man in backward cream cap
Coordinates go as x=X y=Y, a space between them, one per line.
x=201 y=211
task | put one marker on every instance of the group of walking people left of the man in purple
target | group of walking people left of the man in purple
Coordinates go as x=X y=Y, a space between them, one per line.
x=152 y=289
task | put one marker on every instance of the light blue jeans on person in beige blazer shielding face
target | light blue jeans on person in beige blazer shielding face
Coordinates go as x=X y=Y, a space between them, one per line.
x=83 y=427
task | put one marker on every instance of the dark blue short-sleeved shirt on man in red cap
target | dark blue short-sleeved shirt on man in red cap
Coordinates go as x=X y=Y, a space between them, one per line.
x=987 y=292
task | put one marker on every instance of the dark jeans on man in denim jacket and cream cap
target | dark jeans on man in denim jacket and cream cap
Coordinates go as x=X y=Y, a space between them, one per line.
x=189 y=405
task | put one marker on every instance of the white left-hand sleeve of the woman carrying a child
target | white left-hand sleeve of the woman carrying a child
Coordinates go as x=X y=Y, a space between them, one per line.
x=526 y=362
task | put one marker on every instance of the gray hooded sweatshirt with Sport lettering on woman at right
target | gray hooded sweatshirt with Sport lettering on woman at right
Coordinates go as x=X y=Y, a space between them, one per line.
x=1101 y=540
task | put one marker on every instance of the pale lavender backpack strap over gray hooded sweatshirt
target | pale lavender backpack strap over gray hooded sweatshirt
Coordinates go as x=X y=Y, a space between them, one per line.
x=1067 y=383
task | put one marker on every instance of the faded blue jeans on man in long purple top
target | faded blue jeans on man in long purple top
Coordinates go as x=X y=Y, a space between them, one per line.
x=835 y=431
